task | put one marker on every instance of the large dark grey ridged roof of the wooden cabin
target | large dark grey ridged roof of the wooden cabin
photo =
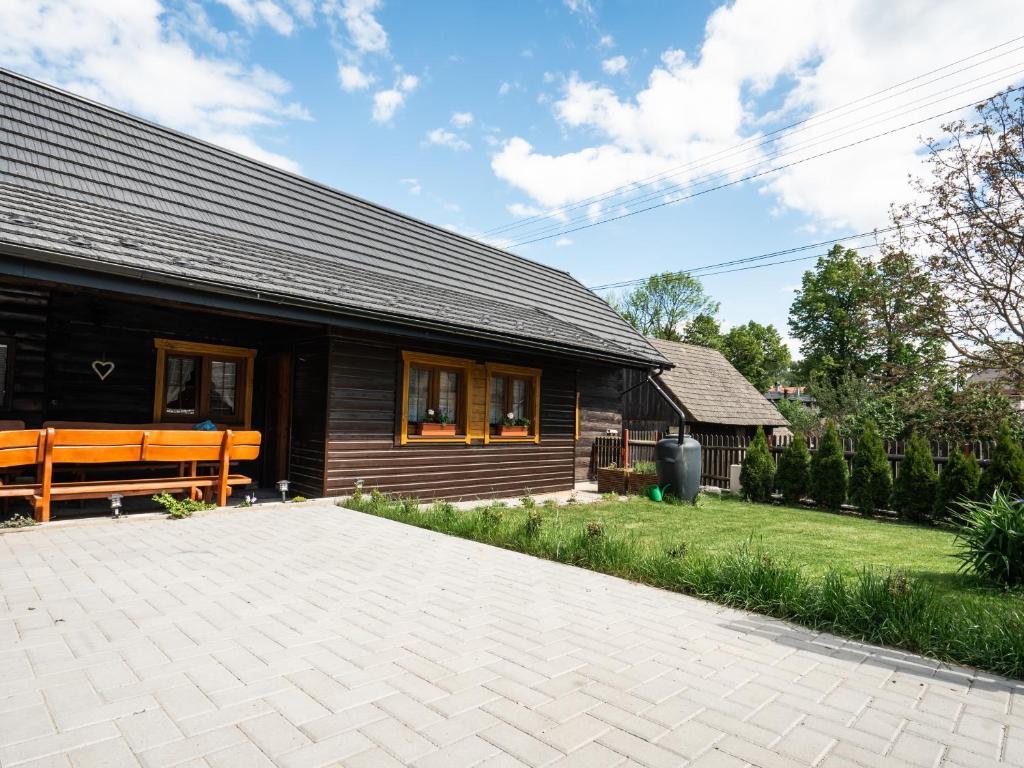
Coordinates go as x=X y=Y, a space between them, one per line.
x=92 y=188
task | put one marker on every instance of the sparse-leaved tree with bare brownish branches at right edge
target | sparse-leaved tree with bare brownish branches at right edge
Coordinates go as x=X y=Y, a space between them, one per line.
x=966 y=233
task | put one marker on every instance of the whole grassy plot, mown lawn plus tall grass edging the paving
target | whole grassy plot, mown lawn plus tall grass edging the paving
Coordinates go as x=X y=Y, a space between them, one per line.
x=892 y=585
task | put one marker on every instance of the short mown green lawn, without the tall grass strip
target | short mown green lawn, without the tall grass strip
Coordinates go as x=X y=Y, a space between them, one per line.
x=813 y=539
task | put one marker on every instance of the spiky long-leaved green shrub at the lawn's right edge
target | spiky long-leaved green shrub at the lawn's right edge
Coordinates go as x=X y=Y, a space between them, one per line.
x=991 y=542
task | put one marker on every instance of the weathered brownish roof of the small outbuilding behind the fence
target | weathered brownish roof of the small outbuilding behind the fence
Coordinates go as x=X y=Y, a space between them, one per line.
x=708 y=388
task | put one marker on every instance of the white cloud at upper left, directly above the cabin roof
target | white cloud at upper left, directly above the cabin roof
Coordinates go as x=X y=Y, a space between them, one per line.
x=131 y=55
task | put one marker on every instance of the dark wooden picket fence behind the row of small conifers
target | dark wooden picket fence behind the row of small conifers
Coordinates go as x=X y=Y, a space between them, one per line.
x=718 y=453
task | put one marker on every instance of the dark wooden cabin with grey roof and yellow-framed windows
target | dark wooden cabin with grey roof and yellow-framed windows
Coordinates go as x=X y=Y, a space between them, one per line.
x=148 y=278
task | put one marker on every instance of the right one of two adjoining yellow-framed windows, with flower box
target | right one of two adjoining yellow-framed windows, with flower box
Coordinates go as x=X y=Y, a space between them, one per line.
x=514 y=404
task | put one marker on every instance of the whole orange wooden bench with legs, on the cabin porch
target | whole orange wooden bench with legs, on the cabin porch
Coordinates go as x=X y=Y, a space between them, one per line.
x=52 y=448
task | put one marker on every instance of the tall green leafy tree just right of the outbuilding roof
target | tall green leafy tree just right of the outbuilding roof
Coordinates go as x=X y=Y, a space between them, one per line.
x=831 y=319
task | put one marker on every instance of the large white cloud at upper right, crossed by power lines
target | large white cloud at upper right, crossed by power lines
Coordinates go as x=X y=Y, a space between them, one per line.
x=807 y=56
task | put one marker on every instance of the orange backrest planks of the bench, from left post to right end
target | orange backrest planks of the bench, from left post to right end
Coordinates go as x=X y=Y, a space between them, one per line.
x=117 y=446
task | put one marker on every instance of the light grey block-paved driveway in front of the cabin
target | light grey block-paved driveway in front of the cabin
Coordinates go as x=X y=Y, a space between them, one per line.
x=309 y=636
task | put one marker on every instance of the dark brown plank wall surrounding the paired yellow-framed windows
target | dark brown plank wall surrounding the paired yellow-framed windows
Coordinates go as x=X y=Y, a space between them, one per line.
x=364 y=382
